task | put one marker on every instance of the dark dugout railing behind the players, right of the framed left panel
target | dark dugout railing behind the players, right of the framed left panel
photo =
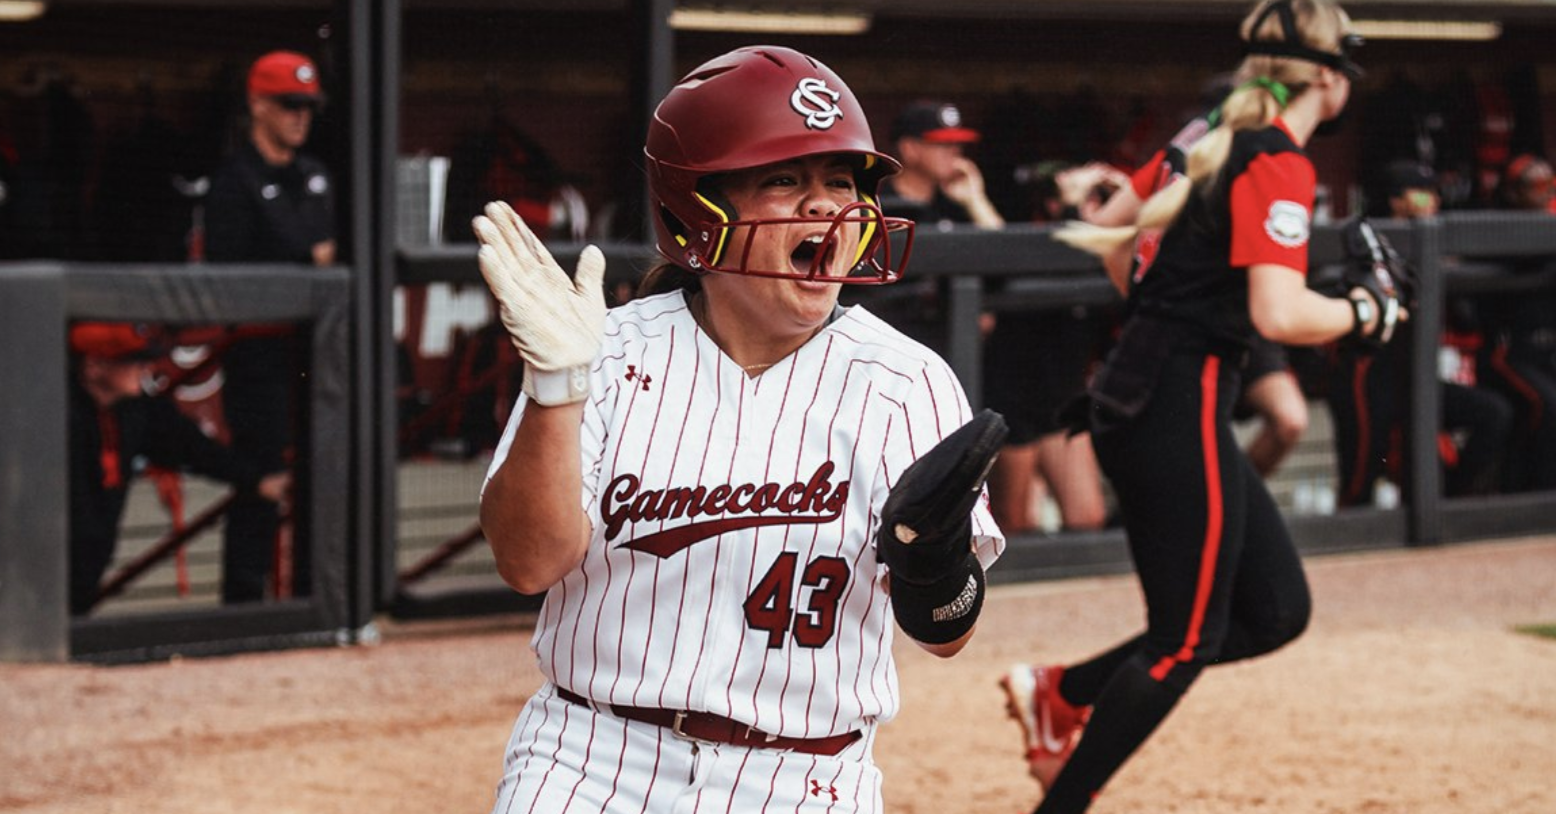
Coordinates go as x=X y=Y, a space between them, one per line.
x=1463 y=253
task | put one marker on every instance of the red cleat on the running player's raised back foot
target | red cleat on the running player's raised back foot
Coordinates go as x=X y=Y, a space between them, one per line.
x=1050 y=725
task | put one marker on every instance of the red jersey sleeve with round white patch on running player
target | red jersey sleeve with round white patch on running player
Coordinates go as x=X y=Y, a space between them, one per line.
x=1272 y=208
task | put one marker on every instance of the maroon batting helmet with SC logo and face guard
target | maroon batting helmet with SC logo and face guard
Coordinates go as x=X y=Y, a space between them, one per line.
x=751 y=108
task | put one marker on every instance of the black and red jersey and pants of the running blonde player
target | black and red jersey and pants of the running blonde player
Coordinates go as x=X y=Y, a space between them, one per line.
x=1221 y=574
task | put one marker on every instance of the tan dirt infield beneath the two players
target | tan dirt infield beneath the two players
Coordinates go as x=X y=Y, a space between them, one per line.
x=1411 y=695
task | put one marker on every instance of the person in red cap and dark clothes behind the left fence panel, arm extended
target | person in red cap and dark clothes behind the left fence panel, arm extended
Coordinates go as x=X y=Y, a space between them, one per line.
x=116 y=430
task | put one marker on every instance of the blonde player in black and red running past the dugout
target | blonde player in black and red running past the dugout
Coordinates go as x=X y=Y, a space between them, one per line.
x=1221 y=575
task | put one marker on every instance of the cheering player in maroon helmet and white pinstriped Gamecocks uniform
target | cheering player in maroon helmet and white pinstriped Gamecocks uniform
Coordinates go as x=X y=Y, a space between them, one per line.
x=696 y=480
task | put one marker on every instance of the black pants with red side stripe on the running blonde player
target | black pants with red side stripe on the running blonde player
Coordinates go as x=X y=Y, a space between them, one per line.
x=1221 y=575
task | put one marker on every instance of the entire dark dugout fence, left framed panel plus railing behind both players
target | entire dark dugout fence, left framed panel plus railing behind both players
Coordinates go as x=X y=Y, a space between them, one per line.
x=1459 y=253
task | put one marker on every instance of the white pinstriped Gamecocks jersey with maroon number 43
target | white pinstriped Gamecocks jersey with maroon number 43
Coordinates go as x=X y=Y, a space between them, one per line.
x=732 y=566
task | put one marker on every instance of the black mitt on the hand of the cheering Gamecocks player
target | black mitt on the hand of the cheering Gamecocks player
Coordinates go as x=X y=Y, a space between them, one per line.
x=927 y=524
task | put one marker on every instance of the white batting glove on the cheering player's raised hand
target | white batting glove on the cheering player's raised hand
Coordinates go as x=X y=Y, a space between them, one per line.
x=555 y=321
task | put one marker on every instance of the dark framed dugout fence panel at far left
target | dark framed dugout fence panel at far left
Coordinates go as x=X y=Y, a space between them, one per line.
x=37 y=304
